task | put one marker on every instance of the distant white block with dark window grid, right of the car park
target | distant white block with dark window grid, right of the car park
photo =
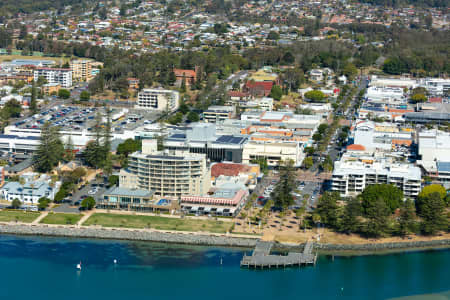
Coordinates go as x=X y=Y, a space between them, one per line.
x=158 y=99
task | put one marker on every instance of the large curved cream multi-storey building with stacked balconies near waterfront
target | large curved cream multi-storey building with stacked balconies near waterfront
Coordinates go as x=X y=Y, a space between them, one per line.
x=166 y=173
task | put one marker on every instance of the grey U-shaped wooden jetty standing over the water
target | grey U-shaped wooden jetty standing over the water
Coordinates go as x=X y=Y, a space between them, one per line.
x=261 y=257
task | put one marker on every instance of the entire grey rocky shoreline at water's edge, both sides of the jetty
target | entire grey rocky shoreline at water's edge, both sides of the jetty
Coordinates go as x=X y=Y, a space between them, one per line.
x=212 y=239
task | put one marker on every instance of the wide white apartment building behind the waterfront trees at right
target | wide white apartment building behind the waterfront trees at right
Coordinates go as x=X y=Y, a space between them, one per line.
x=351 y=175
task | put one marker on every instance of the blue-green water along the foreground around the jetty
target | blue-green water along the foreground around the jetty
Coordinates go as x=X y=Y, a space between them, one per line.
x=34 y=268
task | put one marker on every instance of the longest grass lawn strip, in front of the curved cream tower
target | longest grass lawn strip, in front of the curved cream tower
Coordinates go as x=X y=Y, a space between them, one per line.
x=162 y=223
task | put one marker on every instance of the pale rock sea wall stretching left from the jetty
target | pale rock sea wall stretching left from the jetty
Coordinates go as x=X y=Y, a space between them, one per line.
x=134 y=235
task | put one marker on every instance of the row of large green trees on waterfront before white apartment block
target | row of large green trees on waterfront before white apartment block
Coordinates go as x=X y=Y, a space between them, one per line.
x=380 y=211
